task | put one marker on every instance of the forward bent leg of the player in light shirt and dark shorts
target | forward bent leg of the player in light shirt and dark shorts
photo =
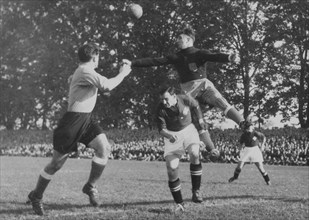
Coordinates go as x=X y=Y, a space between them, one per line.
x=102 y=149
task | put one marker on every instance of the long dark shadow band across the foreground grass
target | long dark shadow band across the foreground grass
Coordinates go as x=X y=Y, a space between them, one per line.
x=128 y=206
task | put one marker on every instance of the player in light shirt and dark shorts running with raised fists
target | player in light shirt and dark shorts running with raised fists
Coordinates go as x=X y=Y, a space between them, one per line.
x=77 y=125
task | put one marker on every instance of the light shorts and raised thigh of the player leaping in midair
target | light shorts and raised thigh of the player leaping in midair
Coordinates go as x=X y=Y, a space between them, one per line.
x=206 y=93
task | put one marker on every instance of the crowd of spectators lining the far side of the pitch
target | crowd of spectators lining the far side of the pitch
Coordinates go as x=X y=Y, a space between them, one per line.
x=288 y=146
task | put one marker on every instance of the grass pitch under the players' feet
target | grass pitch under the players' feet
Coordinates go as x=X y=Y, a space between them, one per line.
x=139 y=190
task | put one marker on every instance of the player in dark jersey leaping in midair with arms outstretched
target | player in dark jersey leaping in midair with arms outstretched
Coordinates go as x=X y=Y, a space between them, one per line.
x=190 y=63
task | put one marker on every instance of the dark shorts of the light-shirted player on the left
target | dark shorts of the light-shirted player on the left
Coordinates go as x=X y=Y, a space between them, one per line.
x=73 y=128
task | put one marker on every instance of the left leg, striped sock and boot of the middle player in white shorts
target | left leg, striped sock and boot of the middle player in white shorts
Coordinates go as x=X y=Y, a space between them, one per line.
x=172 y=163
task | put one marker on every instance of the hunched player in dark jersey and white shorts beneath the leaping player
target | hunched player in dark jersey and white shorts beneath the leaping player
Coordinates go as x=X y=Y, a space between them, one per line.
x=175 y=125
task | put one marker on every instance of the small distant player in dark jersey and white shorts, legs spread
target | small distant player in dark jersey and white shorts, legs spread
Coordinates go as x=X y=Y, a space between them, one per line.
x=253 y=141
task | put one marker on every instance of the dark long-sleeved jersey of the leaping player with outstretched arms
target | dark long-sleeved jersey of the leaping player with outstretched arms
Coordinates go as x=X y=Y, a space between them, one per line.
x=190 y=63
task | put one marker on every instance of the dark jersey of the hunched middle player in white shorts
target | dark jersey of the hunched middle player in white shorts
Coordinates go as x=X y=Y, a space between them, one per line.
x=177 y=117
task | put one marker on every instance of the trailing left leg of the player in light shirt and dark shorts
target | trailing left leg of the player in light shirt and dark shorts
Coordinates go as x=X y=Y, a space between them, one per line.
x=35 y=196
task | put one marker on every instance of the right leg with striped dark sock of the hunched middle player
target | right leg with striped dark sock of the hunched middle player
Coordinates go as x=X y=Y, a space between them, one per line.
x=196 y=172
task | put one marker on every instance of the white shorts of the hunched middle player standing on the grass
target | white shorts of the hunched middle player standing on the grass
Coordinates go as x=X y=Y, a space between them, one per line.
x=186 y=137
